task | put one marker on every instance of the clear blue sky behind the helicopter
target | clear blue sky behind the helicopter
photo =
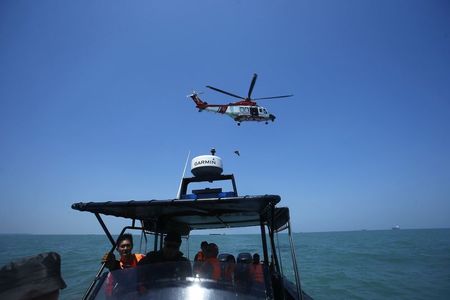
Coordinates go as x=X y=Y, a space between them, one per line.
x=93 y=107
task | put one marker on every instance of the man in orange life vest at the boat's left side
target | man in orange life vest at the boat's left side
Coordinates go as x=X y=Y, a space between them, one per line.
x=127 y=259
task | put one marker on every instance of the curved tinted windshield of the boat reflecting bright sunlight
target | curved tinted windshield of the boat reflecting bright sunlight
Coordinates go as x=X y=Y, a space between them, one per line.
x=175 y=280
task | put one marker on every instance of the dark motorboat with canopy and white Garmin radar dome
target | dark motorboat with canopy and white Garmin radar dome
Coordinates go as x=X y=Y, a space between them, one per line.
x=194 y=211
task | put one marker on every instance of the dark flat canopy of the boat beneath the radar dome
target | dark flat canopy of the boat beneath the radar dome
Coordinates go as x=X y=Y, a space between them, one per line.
x=183 y=216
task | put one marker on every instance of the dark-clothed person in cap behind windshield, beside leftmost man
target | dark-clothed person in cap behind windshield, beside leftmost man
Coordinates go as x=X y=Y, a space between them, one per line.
x=171 y=259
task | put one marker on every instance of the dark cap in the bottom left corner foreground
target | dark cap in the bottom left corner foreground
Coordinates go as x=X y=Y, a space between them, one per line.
x=31 y=277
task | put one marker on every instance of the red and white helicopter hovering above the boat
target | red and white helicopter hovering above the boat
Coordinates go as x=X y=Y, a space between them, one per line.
x=244 y=110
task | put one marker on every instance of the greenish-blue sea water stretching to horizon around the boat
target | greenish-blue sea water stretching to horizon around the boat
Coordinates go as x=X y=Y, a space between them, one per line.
x=393 y=264
